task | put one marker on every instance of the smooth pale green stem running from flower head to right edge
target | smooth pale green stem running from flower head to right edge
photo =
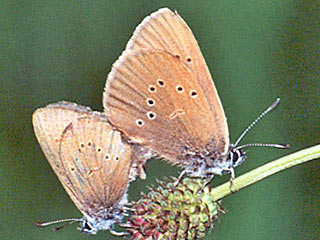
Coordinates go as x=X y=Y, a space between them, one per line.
x=266 y=170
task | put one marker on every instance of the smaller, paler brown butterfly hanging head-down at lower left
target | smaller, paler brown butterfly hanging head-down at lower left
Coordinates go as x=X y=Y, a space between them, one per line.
x=90 y=160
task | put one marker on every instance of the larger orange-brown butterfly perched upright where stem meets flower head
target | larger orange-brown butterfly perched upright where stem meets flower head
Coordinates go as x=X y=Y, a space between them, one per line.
x=161 y=96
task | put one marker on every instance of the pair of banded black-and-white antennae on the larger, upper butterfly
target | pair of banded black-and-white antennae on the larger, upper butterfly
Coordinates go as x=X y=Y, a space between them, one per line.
x=270 y=108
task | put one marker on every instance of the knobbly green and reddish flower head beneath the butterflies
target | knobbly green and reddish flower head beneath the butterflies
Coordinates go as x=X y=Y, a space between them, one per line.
x=186 y=211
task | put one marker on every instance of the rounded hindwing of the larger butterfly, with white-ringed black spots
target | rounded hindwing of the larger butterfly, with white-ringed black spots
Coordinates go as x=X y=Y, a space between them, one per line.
x=153 y=99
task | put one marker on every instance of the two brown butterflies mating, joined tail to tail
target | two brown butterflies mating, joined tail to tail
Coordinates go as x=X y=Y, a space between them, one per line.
x=160 y=98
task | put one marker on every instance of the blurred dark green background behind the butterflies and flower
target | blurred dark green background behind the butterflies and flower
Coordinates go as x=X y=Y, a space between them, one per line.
x=256 y=51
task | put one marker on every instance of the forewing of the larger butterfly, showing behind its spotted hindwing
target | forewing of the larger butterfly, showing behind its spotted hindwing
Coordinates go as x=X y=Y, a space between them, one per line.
x=167 y=31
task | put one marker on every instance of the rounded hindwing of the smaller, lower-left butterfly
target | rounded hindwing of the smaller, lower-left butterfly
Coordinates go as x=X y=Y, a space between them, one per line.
x=96 y=163
